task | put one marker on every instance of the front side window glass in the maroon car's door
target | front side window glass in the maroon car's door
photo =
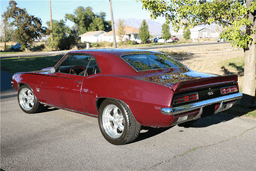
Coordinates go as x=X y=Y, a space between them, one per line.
x=75 y=64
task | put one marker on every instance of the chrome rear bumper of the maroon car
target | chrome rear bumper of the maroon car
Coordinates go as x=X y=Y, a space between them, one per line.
x=199 y=105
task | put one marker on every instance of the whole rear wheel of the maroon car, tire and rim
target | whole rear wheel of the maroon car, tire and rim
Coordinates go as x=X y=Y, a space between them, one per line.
x=113 y=113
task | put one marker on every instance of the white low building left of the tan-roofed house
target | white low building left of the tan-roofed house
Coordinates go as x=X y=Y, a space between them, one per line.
x=92 y=36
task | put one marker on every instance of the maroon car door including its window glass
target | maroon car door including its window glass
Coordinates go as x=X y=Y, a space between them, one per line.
x=63 y=88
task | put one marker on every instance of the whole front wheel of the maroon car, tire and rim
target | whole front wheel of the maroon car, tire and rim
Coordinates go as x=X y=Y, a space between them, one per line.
x=28 y=101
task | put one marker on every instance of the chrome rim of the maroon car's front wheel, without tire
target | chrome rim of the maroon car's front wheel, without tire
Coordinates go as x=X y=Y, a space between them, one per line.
x=26 y=99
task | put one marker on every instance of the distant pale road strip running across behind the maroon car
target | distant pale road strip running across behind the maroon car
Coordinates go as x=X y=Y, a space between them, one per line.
x=63 y=52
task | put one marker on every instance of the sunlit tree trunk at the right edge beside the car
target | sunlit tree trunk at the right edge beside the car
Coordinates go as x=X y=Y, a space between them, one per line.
x=249 y=65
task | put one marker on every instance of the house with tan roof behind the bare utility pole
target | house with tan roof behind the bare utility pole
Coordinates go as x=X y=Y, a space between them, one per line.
x=131 y=33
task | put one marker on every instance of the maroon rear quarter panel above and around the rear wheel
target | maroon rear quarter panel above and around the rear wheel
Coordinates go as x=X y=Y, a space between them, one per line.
x=145 y=99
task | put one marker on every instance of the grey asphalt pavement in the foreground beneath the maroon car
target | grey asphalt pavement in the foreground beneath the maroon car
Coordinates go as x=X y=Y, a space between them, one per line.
x=61 y=140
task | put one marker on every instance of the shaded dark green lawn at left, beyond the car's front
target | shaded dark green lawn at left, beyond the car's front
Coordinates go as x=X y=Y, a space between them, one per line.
x=24 y=64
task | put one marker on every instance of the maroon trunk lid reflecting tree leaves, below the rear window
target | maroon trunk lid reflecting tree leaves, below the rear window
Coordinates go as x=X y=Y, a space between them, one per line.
x=173 y=77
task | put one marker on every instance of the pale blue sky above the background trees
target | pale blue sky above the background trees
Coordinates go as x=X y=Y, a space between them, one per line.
x=122 y=9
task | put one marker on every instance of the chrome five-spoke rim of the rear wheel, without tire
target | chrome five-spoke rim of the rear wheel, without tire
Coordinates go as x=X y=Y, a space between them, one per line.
x=113 y=121
